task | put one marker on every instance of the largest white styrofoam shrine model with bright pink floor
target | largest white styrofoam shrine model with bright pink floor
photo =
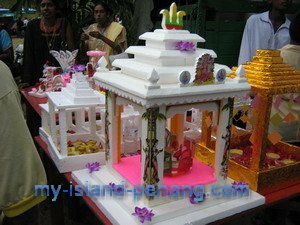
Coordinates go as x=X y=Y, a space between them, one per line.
x=157 y=83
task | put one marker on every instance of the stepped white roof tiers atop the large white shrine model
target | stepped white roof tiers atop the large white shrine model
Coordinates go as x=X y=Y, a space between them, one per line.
x=159 y=62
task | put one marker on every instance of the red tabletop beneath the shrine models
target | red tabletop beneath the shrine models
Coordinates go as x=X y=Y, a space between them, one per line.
x=271 y=198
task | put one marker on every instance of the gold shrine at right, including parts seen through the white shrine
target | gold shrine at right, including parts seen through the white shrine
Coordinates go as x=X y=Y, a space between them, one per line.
x=268 y=77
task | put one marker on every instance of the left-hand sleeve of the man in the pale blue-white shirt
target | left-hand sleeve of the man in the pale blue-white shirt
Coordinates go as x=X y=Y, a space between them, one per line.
x=245 y=50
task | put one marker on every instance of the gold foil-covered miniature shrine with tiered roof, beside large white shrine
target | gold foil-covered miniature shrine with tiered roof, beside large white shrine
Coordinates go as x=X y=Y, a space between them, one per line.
x=270 y=78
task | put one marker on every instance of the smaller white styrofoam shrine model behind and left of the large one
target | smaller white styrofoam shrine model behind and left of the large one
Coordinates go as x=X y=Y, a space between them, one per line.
x=76 y=107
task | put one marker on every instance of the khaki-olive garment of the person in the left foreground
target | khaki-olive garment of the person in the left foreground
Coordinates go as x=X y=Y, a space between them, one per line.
x=16 y=146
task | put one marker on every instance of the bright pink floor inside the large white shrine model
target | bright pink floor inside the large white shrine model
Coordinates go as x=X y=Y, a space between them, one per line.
x=130 y=169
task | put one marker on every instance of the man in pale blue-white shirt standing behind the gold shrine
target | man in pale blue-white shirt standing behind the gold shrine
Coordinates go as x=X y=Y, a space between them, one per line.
x=268 y=30
